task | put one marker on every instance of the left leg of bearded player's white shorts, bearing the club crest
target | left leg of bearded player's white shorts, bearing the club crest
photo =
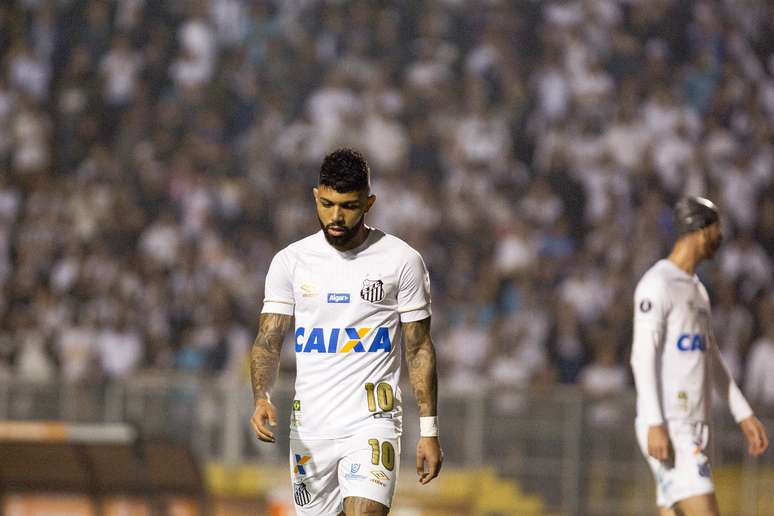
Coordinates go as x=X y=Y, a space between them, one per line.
x=314 y=474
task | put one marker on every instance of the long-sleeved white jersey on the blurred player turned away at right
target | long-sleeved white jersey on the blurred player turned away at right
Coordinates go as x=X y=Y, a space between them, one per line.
x=675 y=358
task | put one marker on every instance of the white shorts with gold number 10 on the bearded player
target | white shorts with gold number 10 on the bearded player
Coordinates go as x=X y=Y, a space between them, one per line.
x=325 y=471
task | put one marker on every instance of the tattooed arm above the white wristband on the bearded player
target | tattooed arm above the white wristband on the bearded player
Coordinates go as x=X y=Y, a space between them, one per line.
x=420 y=358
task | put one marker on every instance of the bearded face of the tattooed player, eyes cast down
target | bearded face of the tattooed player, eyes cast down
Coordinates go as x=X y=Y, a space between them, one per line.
x=342 y=215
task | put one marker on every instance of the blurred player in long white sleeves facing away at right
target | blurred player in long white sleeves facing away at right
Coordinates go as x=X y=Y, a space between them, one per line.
x=675 y=360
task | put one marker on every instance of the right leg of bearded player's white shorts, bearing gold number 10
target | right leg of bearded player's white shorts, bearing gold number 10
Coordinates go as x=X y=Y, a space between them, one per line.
x=369 y=468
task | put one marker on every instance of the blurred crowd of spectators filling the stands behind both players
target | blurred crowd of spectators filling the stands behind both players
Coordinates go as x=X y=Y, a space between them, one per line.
x=155 y=155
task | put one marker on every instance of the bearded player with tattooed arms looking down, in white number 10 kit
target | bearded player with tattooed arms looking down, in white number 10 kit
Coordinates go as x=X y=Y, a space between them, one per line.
x=351 y=289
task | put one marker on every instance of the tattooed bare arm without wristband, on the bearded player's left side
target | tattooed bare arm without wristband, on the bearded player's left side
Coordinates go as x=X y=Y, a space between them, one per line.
x=264 y=355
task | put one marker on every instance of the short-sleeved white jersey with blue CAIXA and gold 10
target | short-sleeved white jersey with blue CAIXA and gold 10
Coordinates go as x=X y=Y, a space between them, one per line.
x=347 y=307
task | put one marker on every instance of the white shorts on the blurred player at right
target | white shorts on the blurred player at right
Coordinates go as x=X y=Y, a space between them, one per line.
x=690 y=475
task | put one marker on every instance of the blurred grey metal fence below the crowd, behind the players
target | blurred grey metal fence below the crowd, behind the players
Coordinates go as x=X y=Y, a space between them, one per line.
x=578 y=454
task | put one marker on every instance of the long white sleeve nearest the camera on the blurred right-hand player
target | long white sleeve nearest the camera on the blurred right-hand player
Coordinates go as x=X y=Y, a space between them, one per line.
x=651 y=307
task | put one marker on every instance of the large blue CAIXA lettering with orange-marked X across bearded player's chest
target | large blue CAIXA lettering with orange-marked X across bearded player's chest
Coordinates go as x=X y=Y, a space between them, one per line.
x=342 y=340
